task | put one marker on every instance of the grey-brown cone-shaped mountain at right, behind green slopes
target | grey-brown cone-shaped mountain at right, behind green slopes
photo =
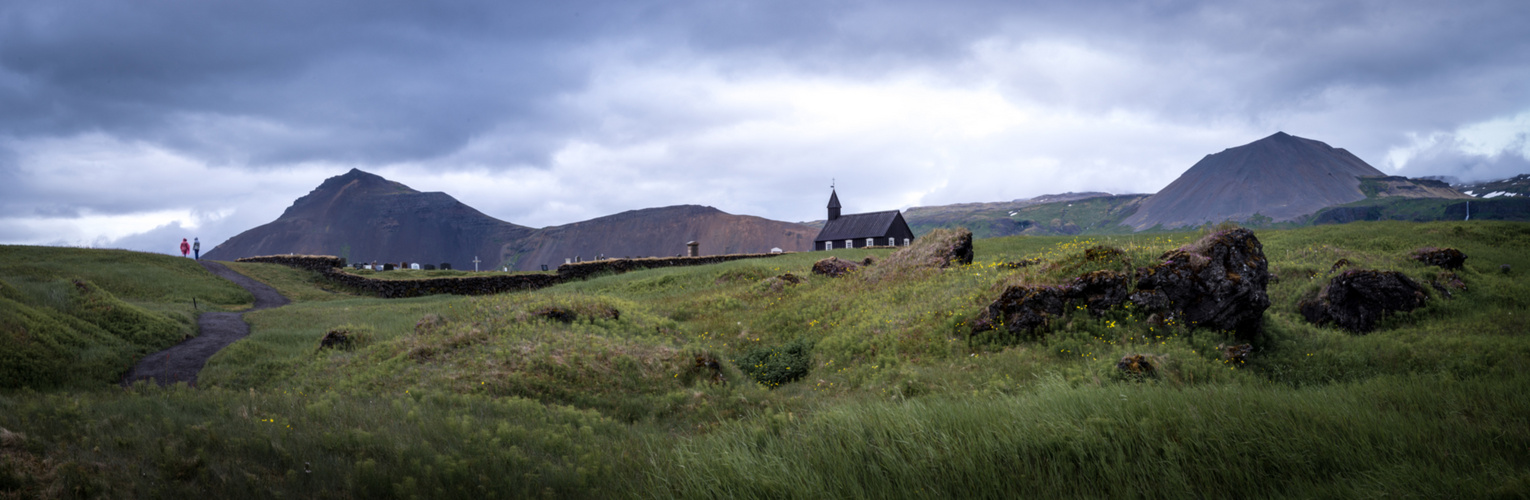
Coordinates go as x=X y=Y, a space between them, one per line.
x=1281 y=177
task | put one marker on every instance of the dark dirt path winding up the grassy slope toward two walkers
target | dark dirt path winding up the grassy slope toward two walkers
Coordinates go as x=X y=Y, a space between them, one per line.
x=218 y=330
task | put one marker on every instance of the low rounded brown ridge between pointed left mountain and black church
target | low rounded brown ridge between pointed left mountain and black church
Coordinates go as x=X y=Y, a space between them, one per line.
x=659 y=232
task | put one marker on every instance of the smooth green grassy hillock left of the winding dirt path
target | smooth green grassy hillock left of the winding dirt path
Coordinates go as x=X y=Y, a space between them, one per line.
x=80 y=319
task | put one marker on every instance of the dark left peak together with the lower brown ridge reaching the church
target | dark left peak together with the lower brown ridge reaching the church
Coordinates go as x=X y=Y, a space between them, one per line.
x=365 y=218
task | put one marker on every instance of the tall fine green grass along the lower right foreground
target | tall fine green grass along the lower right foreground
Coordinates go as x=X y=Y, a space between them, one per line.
x=1384 y=438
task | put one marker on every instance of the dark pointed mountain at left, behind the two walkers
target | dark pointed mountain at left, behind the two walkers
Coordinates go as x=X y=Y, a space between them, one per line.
x=365 y=218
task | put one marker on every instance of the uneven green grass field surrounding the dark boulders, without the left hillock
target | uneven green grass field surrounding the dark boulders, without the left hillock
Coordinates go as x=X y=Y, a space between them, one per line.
x=721 y=381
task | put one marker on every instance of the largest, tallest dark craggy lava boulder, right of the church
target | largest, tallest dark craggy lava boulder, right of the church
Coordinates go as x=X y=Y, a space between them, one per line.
x=1216 y=284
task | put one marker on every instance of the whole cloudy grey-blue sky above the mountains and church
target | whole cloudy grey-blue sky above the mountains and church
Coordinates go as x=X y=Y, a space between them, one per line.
x=134 y=125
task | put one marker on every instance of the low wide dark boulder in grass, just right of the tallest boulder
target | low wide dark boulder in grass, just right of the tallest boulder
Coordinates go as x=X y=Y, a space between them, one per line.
x=1356 y=300
